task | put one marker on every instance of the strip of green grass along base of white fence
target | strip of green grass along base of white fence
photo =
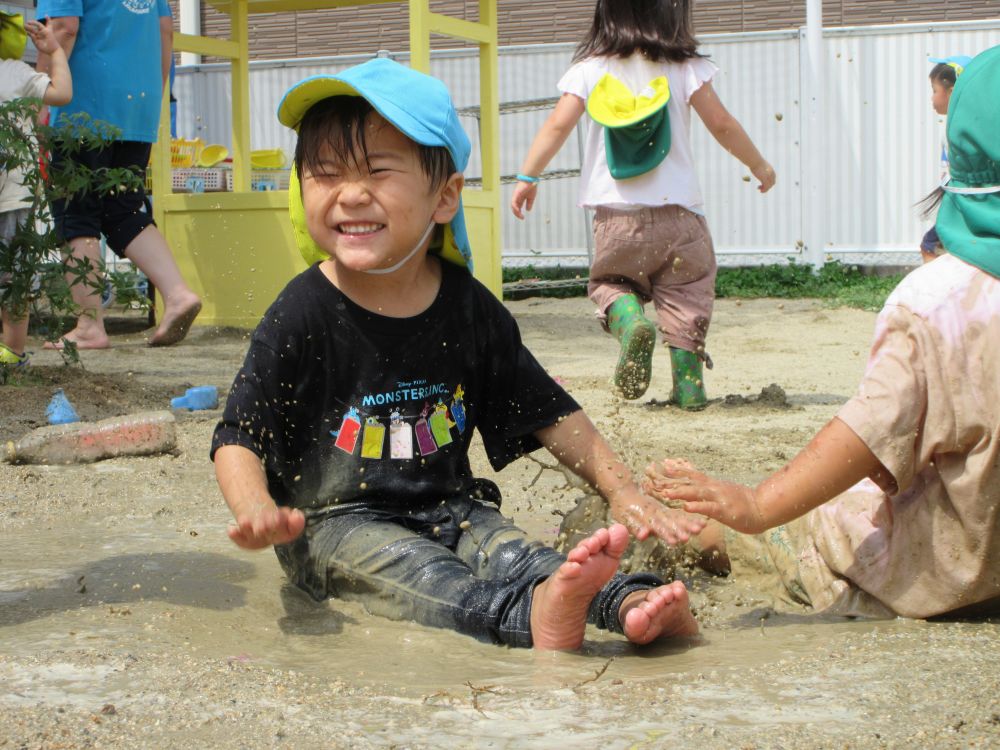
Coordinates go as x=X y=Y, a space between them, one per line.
x=838 y=283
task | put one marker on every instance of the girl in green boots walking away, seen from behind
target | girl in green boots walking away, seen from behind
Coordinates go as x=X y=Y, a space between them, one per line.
x=637 y=74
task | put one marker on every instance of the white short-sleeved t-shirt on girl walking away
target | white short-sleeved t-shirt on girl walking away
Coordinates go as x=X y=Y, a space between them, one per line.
x=674 y=180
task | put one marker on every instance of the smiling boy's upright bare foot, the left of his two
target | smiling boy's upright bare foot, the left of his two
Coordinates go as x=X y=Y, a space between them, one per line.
x=559 y=605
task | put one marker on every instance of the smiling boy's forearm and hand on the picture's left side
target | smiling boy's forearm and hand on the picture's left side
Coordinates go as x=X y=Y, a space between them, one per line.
x=260 y=522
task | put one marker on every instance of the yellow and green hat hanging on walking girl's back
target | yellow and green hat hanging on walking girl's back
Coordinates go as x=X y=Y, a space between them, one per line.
x=636 y=126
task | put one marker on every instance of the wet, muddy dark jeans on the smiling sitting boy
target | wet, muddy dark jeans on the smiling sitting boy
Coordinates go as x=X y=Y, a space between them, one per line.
x=422 y=565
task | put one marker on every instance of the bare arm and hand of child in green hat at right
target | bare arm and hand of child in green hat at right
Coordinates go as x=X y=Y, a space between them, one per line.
x=835 y=460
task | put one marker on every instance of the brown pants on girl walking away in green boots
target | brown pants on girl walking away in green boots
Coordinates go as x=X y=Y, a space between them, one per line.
x=663 y=254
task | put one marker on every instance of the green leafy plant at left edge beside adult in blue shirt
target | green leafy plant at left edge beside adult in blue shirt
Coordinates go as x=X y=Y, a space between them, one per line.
x=37 y=276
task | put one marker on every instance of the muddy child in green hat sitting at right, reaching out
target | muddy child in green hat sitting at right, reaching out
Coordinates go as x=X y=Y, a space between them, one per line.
x=894 y=506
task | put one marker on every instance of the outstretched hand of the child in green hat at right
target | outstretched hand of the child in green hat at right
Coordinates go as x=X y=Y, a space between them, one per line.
x=673 y=480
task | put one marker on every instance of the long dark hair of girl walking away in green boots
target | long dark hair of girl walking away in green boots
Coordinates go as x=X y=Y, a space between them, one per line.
x=662 y=30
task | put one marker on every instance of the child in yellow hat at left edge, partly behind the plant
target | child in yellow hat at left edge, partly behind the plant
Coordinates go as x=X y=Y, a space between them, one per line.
x=18 y=80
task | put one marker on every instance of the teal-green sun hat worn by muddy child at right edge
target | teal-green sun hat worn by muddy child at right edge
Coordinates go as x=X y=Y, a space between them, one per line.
x=968 y=221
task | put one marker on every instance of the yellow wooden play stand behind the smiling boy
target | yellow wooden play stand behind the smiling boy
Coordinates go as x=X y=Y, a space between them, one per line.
x=235 y=248
